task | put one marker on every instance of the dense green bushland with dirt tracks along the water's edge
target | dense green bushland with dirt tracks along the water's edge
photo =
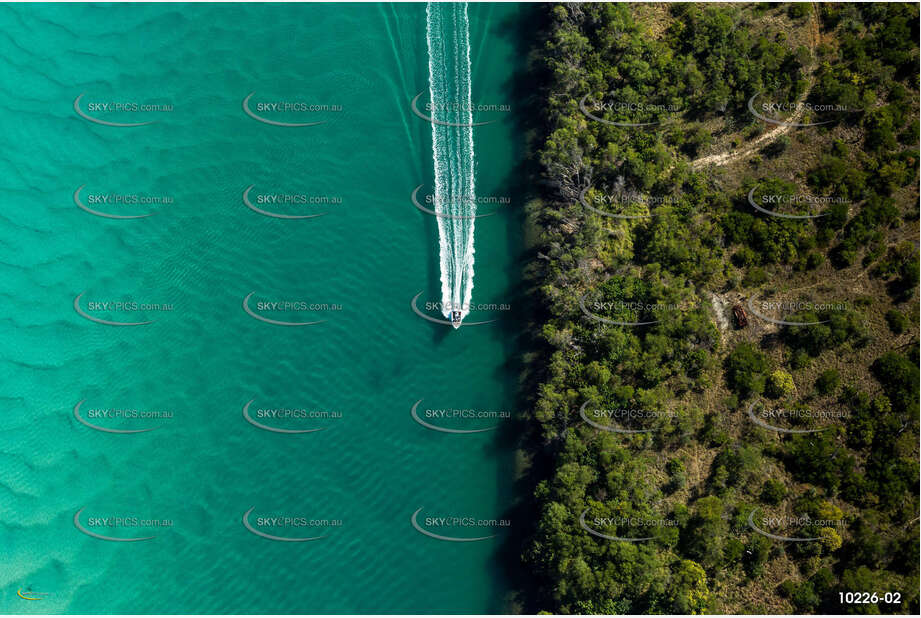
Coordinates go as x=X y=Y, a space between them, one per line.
x=636 y=311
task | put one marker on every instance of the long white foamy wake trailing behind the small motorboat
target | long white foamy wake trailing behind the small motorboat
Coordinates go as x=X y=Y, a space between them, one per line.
x=448 y=37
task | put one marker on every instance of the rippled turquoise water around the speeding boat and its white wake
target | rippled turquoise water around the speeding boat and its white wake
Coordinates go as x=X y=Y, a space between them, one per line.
x=202 y=358
